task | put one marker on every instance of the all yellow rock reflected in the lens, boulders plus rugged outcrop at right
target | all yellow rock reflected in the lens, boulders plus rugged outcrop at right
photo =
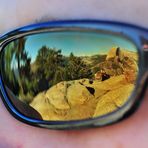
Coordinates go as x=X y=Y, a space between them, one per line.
x=81 y=99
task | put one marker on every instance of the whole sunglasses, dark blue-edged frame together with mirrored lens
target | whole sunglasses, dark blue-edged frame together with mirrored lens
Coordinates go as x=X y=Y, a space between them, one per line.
x=73 y=74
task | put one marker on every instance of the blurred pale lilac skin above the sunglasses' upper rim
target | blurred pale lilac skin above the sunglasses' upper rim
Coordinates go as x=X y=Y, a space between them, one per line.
x=23 y=12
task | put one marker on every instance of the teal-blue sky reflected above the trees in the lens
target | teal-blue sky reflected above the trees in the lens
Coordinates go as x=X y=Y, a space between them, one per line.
x=80 y=43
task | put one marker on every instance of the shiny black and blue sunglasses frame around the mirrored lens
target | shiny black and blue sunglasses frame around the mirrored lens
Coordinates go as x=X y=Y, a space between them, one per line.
x=132 y=32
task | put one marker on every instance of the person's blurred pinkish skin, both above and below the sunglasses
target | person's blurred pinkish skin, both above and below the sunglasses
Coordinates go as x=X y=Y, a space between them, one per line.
x=132 y=132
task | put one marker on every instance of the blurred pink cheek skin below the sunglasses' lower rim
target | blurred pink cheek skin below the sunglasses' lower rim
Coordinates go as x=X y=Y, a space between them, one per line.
x=124 y=134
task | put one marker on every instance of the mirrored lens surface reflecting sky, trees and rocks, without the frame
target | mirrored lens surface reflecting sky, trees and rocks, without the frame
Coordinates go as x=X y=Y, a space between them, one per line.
x=69 y=75
